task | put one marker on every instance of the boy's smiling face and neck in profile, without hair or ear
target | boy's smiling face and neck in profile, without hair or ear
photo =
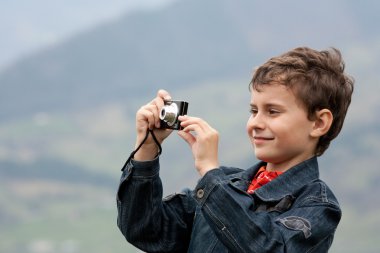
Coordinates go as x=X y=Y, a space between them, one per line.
x=279 y=128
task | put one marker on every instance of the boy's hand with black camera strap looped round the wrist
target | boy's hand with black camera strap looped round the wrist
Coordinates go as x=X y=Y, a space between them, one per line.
x=147 y=117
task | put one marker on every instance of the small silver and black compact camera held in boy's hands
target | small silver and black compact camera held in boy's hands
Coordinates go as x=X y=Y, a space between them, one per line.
x=170 y=112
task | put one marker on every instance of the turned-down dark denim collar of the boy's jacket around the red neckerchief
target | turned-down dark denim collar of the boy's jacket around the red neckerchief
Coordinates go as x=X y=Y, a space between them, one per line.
x=288 y=182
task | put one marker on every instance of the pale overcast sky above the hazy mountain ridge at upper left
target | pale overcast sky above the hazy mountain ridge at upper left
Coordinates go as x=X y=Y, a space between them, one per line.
x=29 y=25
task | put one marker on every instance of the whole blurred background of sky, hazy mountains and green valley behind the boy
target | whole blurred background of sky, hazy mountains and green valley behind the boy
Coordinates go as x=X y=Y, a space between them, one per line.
x=73 y=74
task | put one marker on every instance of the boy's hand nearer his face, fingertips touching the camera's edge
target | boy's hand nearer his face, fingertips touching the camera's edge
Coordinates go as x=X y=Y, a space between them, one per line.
x=203 y=141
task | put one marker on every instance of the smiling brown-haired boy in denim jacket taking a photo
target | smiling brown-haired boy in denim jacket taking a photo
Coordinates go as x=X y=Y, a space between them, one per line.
x=298 y=104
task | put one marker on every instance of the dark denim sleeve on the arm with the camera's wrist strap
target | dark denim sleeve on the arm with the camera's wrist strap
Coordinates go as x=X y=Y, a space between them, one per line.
x=144 y=218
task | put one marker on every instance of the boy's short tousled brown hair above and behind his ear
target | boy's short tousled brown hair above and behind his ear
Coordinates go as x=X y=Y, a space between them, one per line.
x=317 y=79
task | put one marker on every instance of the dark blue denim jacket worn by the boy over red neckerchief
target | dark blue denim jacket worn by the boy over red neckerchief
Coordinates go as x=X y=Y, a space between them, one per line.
x=296 y=212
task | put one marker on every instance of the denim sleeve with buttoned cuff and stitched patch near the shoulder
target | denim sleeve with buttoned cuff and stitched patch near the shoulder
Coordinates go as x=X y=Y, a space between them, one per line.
x=307 y=227
